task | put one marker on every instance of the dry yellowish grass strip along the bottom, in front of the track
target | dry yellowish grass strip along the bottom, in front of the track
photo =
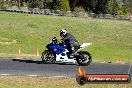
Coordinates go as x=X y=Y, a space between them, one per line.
x=43 y=82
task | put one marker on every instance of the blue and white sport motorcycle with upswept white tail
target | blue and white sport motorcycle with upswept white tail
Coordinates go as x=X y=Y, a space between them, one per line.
x=60 y=53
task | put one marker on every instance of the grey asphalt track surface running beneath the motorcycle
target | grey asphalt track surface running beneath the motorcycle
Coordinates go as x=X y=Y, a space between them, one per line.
x=24 y=67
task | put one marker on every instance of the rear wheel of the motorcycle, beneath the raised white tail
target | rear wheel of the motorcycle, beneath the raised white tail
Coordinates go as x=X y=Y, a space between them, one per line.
x=84 y=58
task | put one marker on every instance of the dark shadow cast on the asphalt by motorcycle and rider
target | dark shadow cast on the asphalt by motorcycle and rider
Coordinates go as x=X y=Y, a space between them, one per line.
x=39 y=62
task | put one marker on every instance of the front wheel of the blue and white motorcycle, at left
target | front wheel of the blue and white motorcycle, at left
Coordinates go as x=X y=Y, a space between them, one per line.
x=48 y=57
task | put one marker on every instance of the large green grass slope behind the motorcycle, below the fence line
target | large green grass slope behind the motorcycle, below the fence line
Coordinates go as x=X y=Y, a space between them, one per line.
x=112 y=39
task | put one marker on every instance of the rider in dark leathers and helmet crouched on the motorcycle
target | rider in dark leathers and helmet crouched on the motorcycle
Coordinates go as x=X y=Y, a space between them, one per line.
x=73 y=44
